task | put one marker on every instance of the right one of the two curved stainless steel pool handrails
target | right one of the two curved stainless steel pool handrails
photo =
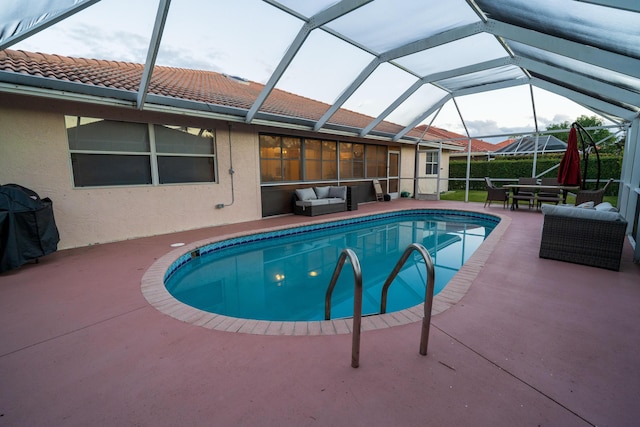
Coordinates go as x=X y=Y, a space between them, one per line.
x=428 y=298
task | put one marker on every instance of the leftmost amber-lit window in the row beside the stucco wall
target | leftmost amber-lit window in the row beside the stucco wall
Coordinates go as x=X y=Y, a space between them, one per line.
x=279 y=158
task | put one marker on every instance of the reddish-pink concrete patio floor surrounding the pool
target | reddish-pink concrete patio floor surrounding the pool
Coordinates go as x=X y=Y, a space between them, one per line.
x=534 y=342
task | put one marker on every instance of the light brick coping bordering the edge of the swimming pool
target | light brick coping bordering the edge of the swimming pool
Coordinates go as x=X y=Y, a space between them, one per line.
x=154 y=291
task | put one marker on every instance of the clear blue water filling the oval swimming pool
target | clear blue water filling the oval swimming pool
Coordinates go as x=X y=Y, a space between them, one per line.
x=283 y=275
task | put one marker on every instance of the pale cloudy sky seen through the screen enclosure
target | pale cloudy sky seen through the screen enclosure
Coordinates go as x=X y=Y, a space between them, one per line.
x=247 y=38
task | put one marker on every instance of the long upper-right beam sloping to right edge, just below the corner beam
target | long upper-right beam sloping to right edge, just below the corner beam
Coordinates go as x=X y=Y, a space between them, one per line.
x=578 y=51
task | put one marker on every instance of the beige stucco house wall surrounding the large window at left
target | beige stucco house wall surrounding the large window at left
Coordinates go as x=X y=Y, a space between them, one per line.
x=34 y=153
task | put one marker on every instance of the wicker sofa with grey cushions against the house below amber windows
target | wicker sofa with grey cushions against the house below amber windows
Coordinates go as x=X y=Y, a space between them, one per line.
x=320 y=200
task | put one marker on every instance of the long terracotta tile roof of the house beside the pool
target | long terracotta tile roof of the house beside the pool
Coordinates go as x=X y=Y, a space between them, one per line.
x=206 y=87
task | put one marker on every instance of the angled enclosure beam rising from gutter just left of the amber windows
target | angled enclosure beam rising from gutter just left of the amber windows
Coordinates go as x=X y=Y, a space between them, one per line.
x=321 y=18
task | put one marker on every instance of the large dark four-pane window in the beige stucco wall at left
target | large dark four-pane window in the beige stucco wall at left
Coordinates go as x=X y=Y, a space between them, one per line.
x=112 y=153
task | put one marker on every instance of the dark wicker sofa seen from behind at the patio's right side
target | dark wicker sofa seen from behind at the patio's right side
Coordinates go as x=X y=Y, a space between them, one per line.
x=592 y=237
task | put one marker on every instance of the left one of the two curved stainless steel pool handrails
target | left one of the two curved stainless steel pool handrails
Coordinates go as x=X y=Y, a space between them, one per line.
x=357 y=300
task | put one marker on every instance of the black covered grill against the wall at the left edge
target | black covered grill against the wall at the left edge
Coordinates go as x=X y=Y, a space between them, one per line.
x=27 y=228
